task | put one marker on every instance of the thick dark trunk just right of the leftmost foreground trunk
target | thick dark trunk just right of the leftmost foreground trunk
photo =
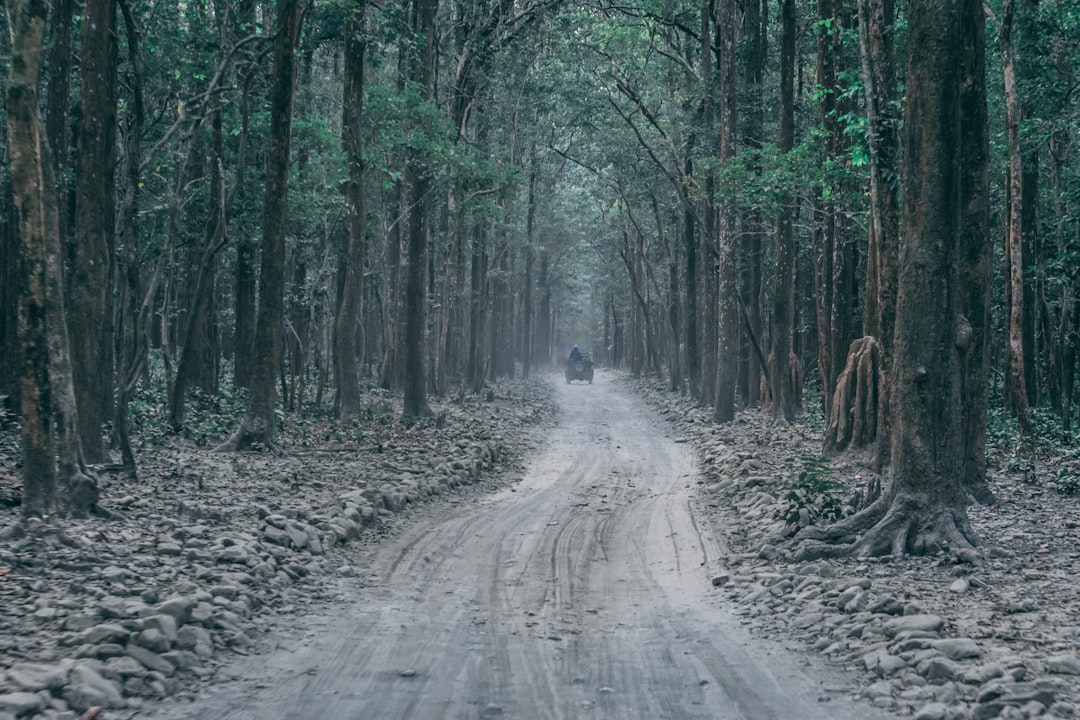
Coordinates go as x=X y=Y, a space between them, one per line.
x=90 y=306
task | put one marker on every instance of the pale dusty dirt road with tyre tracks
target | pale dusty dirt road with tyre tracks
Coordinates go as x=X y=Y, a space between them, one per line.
x=580 y=592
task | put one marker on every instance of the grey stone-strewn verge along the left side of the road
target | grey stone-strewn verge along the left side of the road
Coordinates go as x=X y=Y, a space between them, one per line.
x=208 y=550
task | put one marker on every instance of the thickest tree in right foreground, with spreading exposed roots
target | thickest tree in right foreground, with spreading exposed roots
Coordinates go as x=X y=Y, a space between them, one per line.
x=923 y=509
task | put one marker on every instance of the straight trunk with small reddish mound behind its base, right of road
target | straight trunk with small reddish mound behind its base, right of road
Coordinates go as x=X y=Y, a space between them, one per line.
x=784 y=309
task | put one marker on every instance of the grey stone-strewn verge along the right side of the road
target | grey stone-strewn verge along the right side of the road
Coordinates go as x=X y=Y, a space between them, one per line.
x=928 y=639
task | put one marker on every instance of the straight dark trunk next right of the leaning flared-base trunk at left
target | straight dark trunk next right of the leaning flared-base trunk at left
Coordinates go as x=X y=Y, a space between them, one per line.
x=352 y=261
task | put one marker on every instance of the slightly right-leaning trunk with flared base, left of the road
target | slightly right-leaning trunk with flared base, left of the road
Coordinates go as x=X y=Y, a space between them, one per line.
x=258 y=427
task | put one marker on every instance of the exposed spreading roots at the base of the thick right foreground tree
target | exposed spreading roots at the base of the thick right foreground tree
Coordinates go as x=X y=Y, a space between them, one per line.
x=901 y=527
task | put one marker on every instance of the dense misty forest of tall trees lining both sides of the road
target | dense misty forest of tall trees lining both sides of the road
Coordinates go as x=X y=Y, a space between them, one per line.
x=863 y=211
